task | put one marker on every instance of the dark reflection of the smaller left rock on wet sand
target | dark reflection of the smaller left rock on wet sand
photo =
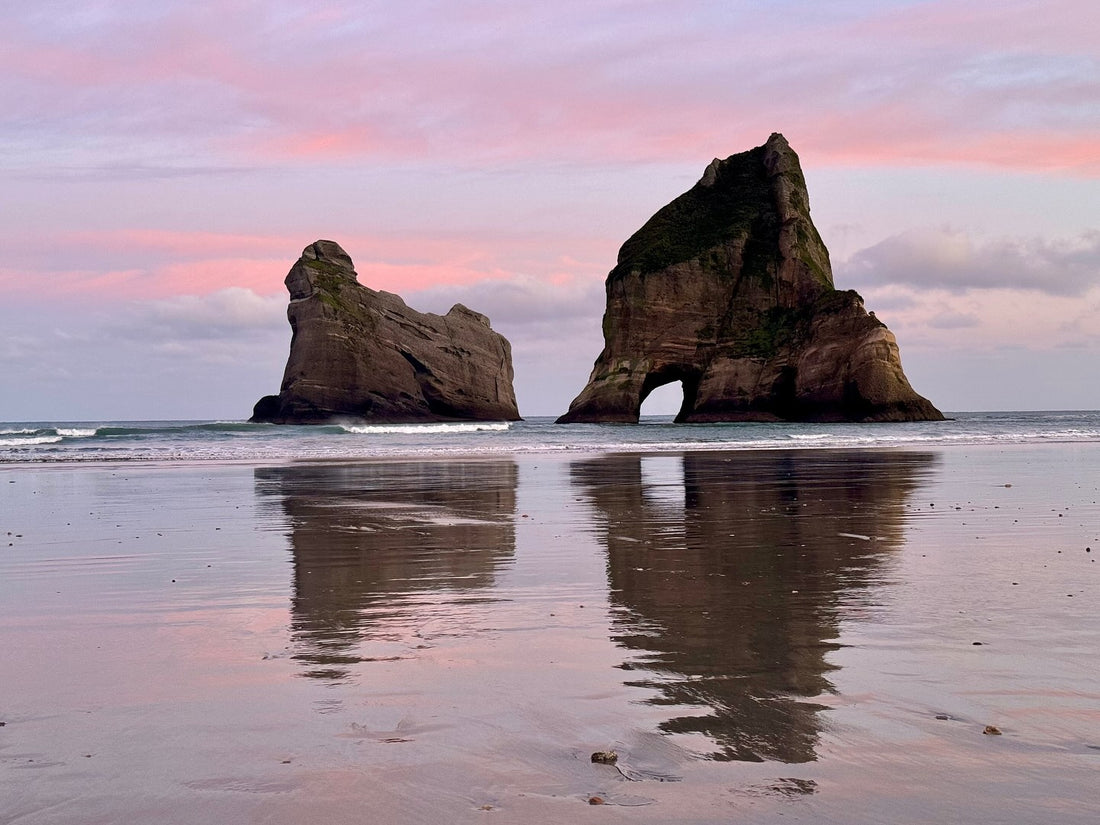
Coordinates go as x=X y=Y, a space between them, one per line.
x=373 y=545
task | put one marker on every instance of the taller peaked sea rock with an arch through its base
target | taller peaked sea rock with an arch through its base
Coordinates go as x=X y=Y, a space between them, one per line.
x=730 y=290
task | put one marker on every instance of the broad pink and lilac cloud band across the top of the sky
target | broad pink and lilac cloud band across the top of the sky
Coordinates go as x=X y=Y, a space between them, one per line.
x=590 y=83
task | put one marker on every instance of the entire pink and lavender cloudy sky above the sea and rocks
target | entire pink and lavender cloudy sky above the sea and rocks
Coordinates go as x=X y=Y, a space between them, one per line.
x=163 y=164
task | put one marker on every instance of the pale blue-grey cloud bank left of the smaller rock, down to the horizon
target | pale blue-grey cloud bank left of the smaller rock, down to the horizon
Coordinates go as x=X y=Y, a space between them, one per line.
x=162 y=360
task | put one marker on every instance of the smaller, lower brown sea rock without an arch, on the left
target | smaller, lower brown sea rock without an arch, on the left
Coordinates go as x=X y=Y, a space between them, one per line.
x=360 y=355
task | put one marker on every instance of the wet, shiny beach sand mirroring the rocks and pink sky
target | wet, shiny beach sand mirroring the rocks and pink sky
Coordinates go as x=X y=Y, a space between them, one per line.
x=763 y=636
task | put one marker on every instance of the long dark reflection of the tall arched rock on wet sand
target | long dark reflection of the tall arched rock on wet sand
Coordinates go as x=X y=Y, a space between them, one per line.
x=730 y=575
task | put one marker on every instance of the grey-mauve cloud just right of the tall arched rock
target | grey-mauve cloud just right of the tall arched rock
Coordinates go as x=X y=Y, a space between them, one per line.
x=953 y=260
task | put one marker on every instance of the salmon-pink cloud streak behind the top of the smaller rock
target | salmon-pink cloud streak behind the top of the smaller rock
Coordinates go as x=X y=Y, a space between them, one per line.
x=160 y=263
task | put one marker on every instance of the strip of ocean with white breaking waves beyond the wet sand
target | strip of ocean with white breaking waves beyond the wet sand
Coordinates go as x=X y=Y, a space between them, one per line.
x=168 y=442
